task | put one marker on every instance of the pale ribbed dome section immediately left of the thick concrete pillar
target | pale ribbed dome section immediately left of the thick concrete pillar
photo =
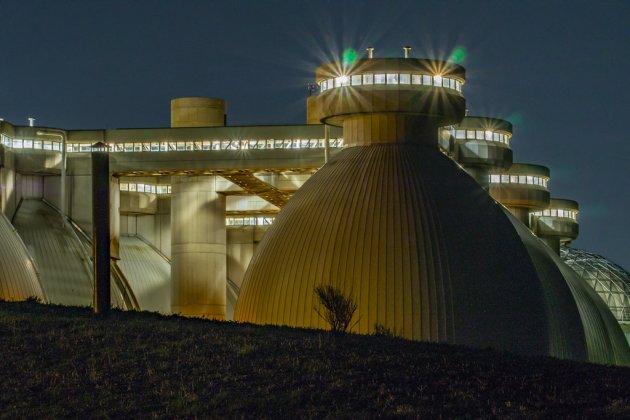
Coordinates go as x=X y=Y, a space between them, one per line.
x=148 y=274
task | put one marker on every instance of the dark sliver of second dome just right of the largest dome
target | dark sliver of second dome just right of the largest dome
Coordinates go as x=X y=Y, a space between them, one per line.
x=566 y=333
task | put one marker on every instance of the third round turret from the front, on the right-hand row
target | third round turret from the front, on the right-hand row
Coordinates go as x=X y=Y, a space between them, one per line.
x=522 y=189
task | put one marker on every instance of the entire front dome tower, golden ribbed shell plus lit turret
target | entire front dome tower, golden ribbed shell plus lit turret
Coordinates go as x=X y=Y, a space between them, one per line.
x=399 y=227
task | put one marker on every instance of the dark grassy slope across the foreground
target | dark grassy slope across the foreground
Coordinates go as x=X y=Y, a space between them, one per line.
x=61 y=362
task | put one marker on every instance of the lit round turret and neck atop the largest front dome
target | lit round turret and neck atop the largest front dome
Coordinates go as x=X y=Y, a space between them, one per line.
x=386 y=100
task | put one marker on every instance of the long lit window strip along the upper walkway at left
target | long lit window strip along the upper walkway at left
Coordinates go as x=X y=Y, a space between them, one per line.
x=176 y=146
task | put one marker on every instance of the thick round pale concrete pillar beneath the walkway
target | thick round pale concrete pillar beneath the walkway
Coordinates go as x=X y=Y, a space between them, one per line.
x=198 y=251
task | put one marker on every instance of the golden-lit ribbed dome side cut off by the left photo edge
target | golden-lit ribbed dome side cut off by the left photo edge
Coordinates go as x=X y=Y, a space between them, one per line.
x=18 y=277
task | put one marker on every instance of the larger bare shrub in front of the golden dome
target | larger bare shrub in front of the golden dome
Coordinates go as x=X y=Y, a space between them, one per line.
x=338 y=309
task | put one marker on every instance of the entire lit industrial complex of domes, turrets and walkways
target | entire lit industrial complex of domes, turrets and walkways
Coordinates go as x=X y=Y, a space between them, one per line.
x=406 y=202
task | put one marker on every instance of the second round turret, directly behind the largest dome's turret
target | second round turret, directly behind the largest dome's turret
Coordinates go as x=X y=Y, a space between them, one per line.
x=482 y=147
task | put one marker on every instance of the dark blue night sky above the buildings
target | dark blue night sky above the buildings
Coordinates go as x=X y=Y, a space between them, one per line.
x=558 y=70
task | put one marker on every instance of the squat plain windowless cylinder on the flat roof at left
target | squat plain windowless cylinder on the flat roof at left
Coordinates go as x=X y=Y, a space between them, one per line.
x=197 y=112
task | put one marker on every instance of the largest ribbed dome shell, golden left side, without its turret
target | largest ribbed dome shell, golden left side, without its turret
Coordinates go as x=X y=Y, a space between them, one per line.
x=414 y=240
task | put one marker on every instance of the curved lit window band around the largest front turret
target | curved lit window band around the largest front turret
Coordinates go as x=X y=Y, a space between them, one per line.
x=390 y=79
